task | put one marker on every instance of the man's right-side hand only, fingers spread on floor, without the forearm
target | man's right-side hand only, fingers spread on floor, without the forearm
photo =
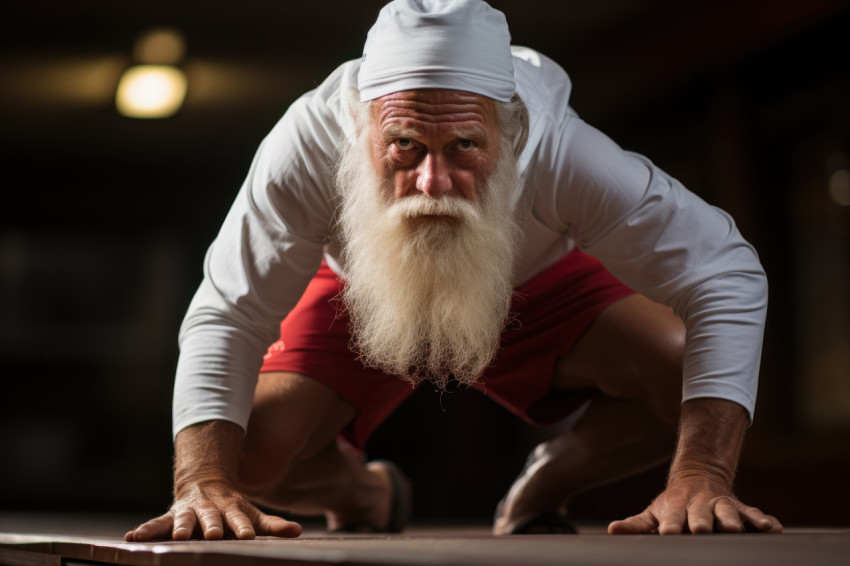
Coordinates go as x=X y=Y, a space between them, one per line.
x=697 y=505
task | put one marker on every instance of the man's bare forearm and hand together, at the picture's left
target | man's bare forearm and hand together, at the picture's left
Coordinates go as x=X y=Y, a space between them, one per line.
x=206 y=502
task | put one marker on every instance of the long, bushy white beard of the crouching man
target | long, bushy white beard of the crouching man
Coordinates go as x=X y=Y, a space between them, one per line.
x=428 y=298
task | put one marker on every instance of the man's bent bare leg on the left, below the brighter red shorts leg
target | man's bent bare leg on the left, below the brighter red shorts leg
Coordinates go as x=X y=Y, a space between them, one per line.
x=293 y=461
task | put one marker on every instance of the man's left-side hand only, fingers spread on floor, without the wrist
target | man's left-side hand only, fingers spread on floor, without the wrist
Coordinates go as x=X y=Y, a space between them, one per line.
x=212 y=510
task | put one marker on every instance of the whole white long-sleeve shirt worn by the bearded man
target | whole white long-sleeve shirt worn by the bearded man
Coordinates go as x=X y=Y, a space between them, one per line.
x=579 y=189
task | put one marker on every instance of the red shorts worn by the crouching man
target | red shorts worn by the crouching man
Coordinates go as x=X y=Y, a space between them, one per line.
x=552 y=311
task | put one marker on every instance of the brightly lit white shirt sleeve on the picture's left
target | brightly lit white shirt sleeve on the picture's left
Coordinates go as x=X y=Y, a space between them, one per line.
x=267 y=250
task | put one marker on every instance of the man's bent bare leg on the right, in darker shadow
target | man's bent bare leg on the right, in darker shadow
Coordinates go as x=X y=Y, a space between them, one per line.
x=632 y=354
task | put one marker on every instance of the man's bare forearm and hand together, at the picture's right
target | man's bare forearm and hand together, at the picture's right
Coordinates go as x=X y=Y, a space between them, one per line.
x=699 y=497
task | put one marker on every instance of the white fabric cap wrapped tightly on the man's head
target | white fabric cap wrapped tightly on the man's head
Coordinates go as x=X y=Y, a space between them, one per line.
x=451 y=44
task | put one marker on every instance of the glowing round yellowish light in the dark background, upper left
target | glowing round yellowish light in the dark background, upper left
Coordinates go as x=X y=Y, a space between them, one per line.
x=151 y=91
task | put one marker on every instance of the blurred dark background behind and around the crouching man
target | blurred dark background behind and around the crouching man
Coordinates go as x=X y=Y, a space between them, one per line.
x=104 y=221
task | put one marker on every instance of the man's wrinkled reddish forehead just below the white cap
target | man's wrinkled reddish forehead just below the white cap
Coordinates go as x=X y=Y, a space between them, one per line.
x=434 y=108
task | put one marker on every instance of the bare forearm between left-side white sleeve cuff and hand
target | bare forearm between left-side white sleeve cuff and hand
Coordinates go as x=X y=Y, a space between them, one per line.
x=207 y=451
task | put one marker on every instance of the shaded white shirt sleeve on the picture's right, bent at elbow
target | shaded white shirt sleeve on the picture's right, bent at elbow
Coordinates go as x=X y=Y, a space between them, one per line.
x=668 y=244
